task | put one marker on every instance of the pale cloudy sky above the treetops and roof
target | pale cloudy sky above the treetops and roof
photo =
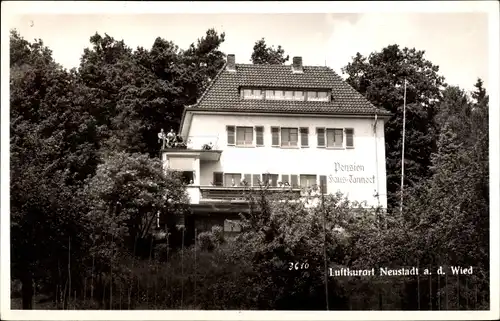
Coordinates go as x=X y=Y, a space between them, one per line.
x=456 y=42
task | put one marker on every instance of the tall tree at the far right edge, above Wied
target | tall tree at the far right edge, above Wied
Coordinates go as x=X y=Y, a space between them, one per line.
x=461 y=173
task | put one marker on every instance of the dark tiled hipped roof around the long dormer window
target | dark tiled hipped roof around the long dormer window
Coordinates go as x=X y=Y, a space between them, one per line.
x=223 y=93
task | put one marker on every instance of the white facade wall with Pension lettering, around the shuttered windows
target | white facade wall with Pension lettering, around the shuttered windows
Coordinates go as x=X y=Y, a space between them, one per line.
x=359 y=185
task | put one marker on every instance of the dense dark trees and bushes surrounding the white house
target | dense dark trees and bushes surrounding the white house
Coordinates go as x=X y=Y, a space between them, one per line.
x=87 y=189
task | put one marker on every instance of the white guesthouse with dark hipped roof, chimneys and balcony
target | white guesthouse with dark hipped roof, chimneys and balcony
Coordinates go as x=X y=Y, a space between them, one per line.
x=290 y=124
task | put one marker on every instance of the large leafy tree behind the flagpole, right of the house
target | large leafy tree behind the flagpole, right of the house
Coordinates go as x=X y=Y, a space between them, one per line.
x=380 y=78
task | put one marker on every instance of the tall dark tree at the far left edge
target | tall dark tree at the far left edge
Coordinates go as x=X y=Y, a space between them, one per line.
x=53 y=148
